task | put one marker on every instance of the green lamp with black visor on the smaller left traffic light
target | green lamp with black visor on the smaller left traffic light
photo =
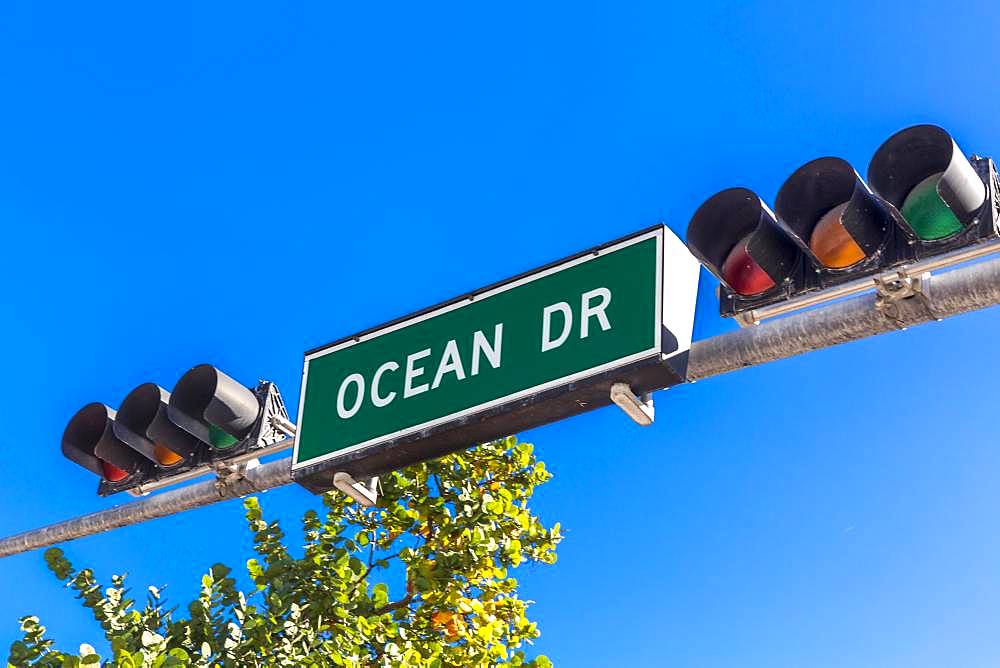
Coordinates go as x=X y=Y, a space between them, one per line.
x=213 y=407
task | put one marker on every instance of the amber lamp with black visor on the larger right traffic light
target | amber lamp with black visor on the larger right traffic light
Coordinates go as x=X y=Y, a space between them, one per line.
x=832 y=214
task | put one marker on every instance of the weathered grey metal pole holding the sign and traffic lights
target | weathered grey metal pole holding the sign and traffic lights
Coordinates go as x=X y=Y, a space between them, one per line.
x=960 y=290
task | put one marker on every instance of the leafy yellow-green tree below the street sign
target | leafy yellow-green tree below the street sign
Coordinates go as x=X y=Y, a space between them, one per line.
x=455 y=527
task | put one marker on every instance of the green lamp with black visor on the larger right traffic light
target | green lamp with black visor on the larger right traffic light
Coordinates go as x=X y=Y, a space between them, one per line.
x=924 y=174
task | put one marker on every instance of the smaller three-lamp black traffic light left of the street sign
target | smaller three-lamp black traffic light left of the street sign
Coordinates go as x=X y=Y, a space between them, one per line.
x=155 y=435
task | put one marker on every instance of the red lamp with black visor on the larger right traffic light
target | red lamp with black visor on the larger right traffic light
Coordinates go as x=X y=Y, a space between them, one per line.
x=735 y=235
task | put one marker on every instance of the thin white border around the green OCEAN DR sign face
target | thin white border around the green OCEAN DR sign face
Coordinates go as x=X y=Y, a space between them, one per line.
x=635 y=357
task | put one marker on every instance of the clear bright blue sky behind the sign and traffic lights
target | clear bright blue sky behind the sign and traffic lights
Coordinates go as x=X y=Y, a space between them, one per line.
x=236 y=184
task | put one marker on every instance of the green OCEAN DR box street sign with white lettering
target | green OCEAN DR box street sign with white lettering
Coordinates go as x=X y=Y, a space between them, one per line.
x=480 y=364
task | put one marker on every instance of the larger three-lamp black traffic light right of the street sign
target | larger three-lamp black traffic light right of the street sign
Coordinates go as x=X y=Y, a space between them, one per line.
x=829 y=228
